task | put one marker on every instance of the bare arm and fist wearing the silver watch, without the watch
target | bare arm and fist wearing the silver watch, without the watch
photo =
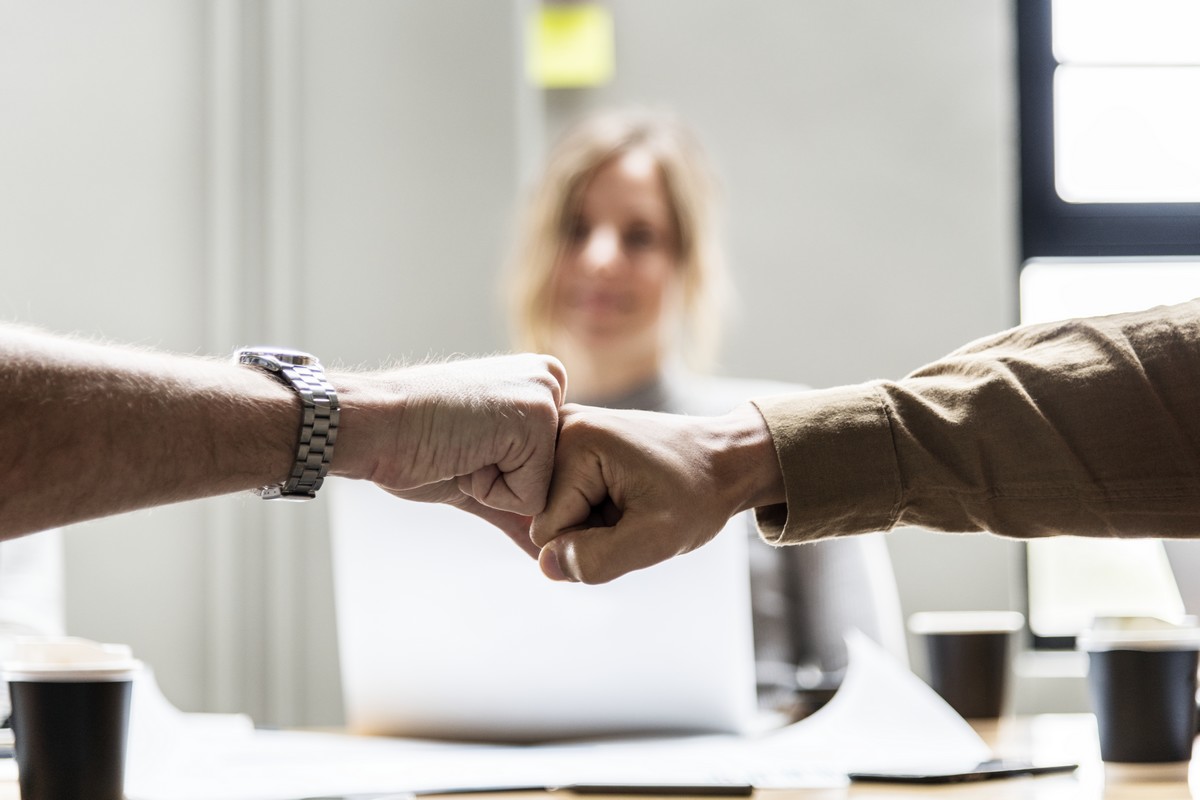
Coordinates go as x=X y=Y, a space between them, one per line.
x=94 y=430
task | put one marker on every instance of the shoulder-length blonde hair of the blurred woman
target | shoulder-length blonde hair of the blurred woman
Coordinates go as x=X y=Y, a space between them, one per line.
x=543 y=233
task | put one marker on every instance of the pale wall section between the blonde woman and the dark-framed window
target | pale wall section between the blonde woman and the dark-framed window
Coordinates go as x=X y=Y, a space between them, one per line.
x=869 y=155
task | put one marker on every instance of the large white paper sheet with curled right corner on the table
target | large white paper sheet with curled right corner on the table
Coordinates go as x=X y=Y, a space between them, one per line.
x=881 y=717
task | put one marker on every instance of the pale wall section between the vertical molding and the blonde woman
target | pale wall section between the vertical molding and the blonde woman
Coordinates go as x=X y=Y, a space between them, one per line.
x=411 y=116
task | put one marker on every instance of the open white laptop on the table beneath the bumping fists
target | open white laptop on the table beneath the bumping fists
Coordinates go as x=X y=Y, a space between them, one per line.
x=448 y=630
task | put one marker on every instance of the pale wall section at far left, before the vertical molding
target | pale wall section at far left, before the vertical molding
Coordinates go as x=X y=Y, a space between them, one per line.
x=103 y=232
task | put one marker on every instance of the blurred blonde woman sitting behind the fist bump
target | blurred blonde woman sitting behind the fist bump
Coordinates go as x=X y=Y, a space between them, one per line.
x=619 y=270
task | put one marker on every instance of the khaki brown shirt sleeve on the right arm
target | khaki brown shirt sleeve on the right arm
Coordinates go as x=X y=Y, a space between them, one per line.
x=1088 y=428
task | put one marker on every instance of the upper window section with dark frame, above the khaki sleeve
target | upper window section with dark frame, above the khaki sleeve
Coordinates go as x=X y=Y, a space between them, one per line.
x=1111 y=128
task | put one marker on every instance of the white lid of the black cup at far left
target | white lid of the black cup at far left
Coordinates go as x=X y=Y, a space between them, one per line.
x=67 y=659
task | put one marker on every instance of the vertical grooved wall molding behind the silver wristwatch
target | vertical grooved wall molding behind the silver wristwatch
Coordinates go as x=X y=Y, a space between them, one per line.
x=255 y=637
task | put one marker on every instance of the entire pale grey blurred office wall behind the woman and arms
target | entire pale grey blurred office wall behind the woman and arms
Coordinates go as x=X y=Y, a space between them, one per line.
x=343 y=178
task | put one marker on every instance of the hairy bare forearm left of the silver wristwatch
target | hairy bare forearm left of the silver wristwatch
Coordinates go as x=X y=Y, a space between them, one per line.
x=94 y=430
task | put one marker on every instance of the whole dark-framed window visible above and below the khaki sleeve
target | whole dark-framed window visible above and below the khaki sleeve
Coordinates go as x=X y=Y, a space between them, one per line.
x=1111 y=221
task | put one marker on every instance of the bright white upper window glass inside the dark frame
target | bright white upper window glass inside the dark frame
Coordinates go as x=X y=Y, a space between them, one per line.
x=1127 y=101
